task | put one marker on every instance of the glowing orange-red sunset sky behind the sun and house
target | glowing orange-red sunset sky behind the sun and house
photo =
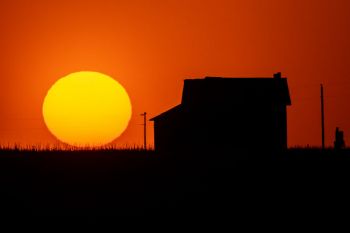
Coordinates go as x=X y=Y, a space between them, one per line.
x=151 y=46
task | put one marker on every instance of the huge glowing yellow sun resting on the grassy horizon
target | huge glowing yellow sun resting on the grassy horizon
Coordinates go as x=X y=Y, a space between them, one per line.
x=87 y=109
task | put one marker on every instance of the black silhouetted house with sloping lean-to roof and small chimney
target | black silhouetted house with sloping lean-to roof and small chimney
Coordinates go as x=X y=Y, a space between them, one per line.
x=226 y=113
